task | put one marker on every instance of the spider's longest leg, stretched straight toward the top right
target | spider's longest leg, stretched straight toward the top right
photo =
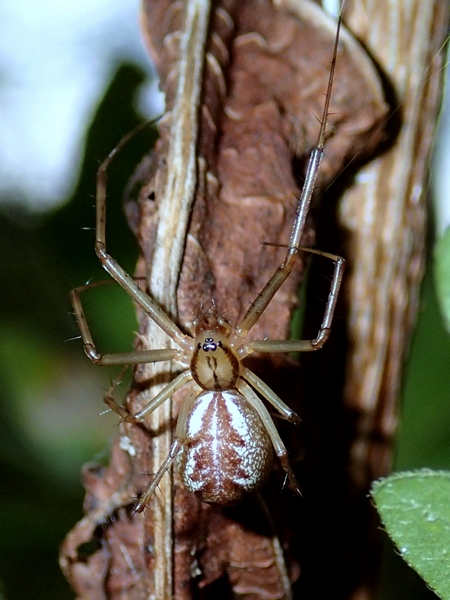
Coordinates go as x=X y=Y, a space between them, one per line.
x=283 y=271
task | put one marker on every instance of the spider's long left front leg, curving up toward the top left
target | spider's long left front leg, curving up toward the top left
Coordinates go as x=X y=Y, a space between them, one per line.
x=117 y=272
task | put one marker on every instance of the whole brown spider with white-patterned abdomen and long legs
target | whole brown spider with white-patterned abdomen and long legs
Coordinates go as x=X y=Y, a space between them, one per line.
x=224 y=434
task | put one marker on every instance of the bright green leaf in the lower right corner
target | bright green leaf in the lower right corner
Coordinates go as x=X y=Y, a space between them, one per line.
x=415 y=509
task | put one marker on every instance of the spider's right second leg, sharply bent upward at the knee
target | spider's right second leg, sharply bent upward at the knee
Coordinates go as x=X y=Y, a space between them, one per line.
x=325 y=328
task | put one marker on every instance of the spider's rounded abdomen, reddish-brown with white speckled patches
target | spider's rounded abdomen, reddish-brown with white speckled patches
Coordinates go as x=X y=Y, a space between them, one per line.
x=227 y=451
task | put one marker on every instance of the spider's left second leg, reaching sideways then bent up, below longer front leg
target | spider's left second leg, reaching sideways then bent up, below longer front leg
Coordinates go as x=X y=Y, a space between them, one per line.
x=121 y=358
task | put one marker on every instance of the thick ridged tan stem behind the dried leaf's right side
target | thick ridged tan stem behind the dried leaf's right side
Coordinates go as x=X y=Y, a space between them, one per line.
x=384 y=217
